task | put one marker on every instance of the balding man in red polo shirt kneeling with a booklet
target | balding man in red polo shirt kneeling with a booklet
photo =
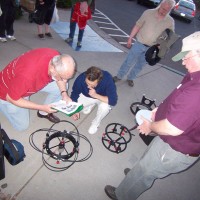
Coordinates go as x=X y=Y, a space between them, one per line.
x=41 y=69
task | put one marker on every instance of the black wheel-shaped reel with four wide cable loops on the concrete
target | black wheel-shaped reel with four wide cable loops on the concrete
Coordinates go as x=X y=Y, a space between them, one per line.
x=62 y=146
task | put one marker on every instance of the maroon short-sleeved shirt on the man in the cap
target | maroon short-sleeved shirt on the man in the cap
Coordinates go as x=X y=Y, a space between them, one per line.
x=182 y=109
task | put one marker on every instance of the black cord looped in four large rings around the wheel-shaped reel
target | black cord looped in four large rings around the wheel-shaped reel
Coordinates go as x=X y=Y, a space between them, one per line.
x=70 y=158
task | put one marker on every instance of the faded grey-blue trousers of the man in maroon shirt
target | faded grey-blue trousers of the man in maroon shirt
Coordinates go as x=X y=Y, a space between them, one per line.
x=159 y=161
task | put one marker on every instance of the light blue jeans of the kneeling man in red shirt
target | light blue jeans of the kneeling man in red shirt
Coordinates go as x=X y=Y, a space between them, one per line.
x=20 y=117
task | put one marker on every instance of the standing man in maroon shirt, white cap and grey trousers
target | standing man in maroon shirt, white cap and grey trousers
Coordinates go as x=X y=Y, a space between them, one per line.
x=177 y=123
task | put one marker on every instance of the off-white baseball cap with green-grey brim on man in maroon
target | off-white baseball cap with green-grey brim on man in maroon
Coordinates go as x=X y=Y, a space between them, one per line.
x=189 y=43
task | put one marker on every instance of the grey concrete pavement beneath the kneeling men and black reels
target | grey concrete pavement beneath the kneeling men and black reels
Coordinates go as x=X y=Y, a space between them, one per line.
x=31 y=180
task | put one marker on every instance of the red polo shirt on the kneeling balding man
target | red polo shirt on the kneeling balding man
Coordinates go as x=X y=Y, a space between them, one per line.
x=26 y=74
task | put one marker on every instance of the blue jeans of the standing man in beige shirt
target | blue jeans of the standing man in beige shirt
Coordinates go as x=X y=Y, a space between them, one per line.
x=135 y=60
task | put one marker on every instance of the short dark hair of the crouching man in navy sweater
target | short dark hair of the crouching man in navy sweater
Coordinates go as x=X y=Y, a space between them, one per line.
x=94 y=73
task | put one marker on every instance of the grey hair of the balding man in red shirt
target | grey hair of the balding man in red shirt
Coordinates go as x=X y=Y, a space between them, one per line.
x=57 y=62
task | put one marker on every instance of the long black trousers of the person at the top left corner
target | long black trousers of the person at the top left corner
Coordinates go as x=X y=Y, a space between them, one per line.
x=6 y=21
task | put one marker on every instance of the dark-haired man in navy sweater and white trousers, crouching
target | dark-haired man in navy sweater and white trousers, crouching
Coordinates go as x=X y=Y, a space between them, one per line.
x=94 y=87
